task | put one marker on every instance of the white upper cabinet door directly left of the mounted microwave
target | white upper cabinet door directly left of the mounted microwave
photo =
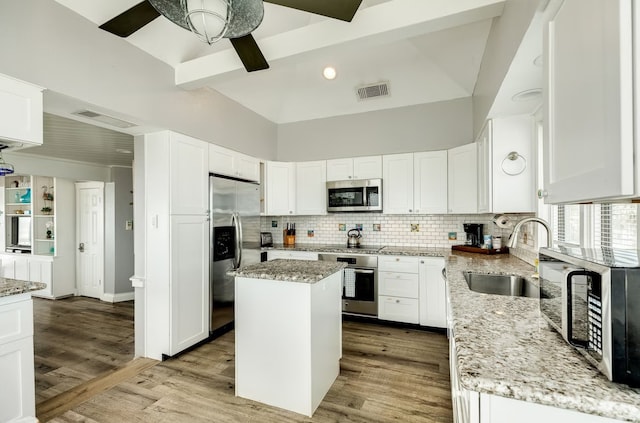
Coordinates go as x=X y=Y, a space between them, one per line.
x=311 y=188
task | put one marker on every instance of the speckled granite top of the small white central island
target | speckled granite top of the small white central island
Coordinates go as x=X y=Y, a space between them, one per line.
x=290 y=270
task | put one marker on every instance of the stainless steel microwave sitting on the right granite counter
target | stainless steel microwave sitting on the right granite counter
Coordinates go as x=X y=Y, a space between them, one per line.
x=592 y=298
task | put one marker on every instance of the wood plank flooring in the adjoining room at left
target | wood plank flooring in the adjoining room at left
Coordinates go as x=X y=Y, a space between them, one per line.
x=77 y=339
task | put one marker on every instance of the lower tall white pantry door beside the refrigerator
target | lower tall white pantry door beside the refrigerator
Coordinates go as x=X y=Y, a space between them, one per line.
x=189 y=291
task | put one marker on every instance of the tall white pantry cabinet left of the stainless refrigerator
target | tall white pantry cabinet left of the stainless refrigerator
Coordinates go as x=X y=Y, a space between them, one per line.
x=177 y=243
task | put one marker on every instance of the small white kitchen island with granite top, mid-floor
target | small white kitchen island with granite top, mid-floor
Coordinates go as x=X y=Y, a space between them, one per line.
x=288 y=331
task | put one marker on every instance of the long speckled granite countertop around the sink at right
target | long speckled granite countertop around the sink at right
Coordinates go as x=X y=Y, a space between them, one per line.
x=505 y=347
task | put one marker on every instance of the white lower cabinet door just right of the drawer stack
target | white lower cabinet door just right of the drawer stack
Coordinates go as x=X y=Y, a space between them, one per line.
x=433 y=295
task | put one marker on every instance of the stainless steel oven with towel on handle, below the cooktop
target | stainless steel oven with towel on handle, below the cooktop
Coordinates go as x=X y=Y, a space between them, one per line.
x=360 y=283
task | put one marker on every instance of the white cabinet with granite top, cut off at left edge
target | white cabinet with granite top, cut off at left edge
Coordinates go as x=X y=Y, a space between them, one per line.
x=17 y=390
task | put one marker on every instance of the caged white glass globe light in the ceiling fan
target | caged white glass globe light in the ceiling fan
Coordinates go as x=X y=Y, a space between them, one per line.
x=208 y=19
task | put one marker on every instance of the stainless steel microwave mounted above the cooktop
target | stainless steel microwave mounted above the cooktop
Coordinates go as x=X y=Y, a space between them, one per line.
x=360 y=195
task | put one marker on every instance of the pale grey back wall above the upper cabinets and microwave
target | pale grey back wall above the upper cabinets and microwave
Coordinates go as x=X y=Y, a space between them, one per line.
x=435 y=126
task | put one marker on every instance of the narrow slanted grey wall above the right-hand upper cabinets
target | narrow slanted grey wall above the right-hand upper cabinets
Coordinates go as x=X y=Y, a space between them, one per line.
x=504 y=39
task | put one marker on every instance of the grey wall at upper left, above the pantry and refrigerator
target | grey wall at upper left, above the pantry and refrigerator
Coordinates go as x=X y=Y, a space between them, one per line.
x=44 y=43
